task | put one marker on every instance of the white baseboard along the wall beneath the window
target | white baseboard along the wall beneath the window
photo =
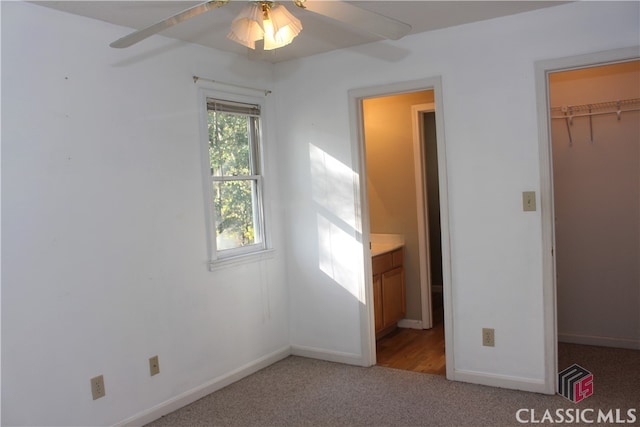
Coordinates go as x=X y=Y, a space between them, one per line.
x=205 y=389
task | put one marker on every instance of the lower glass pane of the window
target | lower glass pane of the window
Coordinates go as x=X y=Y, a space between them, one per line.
x=236 y=208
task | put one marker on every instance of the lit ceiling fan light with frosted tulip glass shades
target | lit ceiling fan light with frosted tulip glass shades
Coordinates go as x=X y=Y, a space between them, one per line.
x=262 y=20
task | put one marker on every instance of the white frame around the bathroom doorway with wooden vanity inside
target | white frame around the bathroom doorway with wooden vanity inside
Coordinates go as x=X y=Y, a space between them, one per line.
x=356 y=96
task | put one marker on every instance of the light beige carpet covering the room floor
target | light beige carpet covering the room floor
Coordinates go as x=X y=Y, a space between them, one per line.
x=305 y=392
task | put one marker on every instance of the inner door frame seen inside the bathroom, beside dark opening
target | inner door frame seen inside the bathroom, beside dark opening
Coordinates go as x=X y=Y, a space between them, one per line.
x=424 y=248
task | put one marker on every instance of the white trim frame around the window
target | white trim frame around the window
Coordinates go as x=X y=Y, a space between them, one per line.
x=246 y=254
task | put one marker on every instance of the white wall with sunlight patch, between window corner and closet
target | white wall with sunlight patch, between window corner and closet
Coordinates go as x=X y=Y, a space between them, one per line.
x=491 y=134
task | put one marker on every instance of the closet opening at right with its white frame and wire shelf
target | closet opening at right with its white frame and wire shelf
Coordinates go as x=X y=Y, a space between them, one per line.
x=589 y=123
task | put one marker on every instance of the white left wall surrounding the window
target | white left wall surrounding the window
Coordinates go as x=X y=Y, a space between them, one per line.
x=104 y=260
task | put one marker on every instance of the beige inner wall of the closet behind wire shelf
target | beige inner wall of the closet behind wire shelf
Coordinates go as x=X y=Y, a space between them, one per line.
x=596 y=173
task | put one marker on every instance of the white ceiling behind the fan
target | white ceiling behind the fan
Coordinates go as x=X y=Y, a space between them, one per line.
x=319 y=34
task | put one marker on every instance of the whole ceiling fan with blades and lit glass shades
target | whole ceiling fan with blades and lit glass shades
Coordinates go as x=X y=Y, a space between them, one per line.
x=271 y=21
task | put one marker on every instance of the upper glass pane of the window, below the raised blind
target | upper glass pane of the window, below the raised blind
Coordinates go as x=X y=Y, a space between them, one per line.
x=229 y=139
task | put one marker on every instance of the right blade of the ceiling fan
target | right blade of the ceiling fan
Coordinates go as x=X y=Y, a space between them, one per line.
x=362 y=19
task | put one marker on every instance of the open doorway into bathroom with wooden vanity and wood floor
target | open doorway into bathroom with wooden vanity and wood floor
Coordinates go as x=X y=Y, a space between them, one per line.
x=404 y=205
